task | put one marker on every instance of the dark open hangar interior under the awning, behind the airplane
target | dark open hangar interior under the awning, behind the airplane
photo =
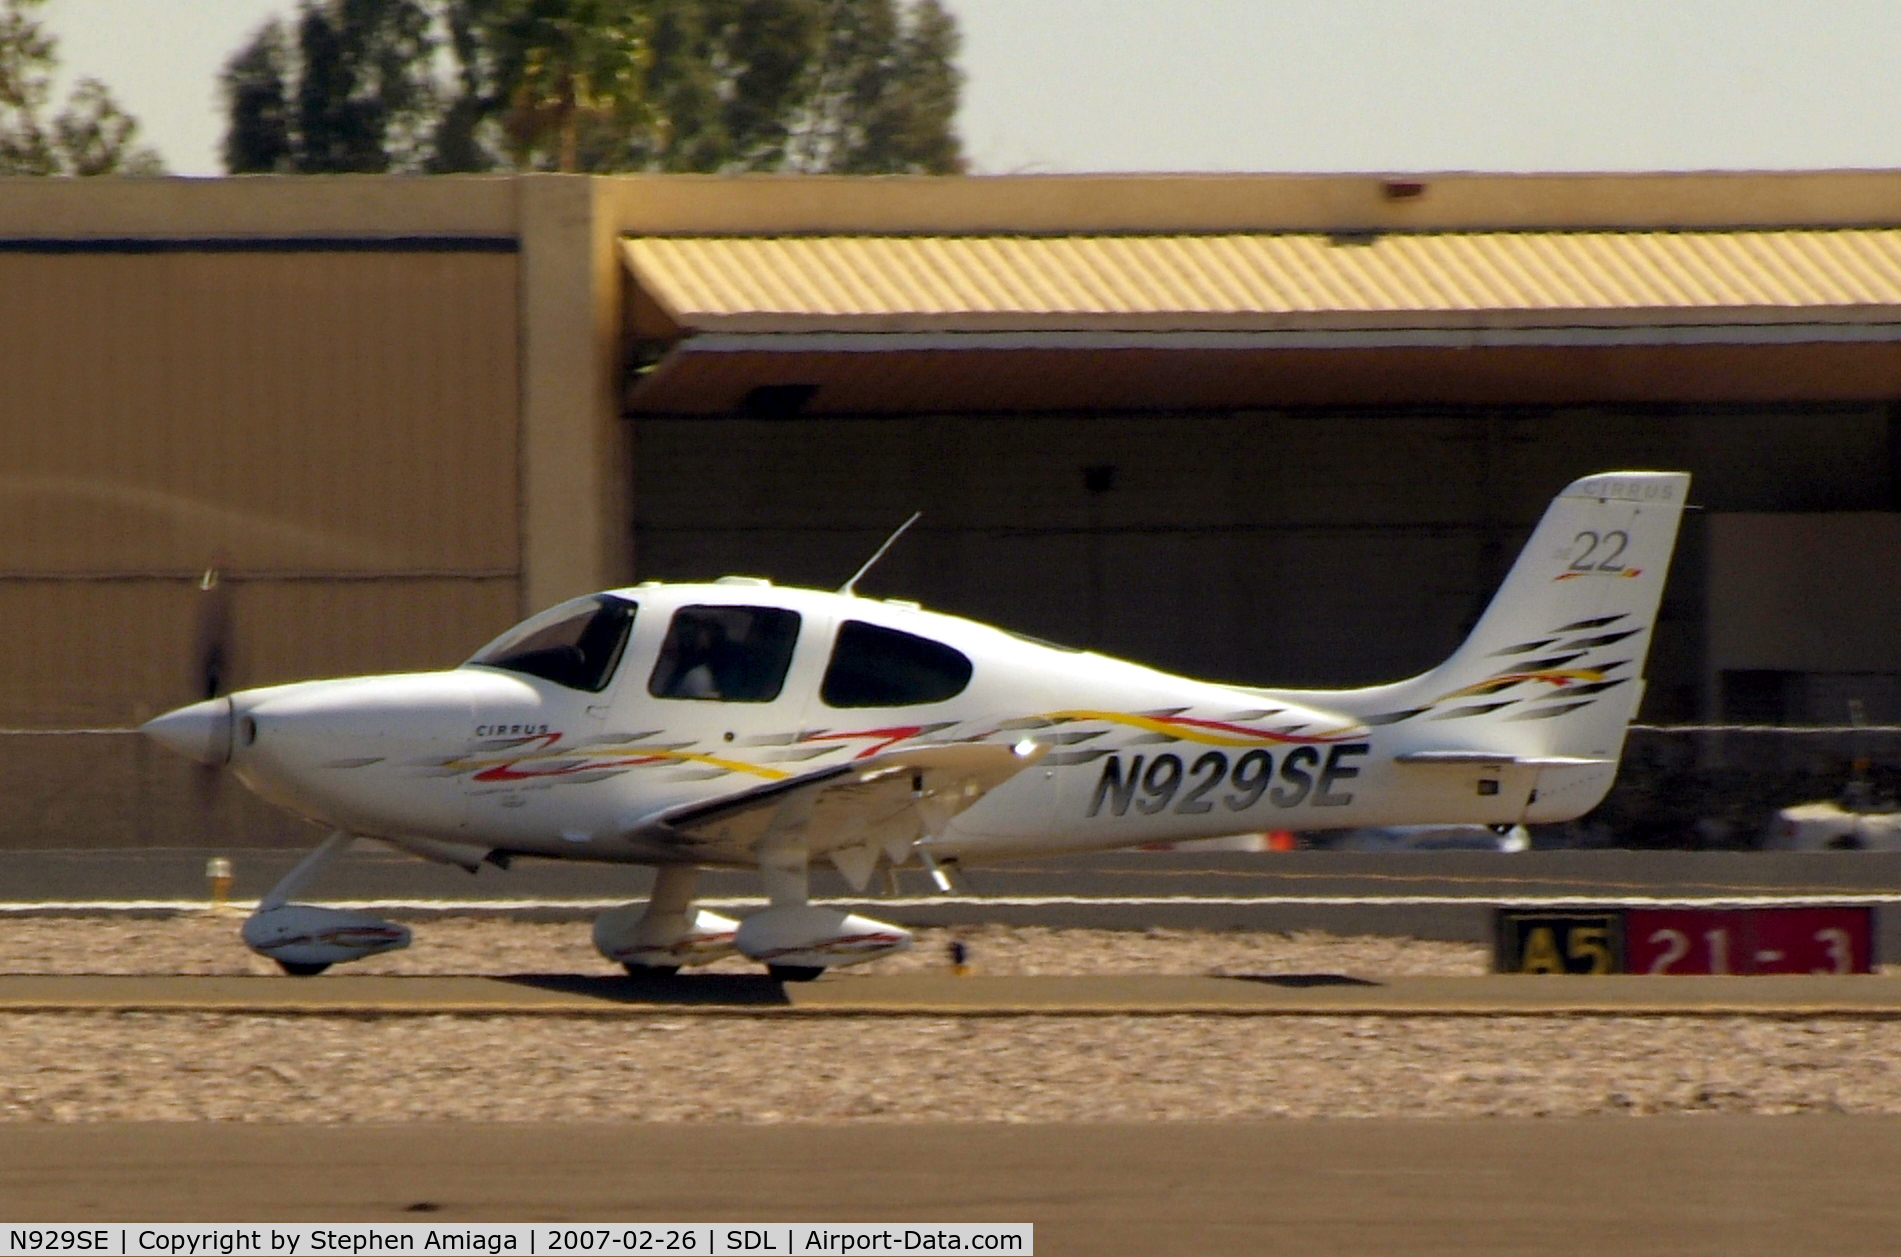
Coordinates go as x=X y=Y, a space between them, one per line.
x=1307 y=547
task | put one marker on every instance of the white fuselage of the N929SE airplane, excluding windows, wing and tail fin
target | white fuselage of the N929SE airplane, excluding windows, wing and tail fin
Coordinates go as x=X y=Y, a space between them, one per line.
x=507 y=762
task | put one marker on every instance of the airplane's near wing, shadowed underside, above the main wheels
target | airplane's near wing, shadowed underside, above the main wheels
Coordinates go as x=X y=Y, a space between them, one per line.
x=851 y=811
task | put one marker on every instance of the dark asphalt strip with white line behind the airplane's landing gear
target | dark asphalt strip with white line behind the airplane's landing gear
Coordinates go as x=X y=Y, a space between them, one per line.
x=1411 y=895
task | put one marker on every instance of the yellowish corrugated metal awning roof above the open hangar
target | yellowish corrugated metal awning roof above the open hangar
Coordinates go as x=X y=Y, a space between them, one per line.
x=1271 y=280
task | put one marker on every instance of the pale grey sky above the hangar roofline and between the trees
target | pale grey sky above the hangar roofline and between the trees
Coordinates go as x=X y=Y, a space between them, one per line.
x=1275 y=85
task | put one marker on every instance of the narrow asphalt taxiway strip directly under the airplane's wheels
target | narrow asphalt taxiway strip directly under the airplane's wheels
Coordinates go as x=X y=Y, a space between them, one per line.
x=849 y=996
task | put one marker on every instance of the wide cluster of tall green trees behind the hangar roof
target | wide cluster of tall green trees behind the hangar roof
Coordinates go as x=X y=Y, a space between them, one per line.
x=854 y=87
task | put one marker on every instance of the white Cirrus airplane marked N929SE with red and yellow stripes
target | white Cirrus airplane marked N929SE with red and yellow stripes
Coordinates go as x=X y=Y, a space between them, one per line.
x=758 y=727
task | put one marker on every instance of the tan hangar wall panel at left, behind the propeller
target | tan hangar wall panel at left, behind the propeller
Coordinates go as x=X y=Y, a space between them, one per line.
x=337 y=429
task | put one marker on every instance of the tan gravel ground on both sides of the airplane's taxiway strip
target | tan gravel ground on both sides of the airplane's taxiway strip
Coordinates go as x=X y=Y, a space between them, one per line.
x=83 y=1068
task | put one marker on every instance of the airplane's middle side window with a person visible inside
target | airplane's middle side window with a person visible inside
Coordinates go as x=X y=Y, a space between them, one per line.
x=735 y=655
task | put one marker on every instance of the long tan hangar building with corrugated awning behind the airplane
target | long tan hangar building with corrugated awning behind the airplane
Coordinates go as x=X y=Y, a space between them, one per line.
x=1261 y=429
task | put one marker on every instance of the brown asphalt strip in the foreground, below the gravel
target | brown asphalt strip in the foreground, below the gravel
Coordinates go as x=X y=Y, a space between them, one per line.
x=1689 y=1188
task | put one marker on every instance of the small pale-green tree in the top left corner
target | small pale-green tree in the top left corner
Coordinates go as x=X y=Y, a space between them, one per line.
x=90 y=136
